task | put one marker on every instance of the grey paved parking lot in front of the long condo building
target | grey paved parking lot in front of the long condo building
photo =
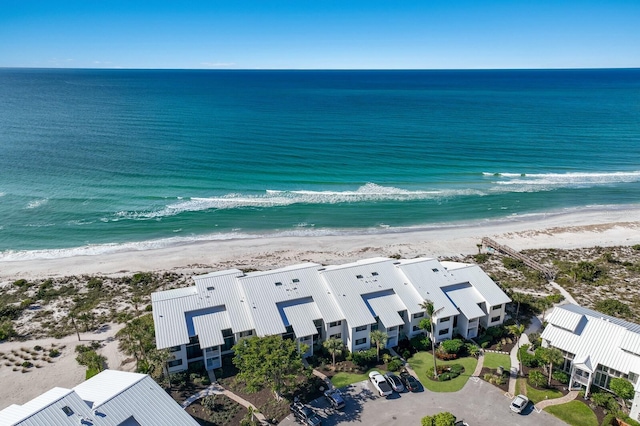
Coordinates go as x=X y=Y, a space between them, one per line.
x=478 y=403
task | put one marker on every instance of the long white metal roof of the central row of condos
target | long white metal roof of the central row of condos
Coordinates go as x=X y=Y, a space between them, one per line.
x=255 y=301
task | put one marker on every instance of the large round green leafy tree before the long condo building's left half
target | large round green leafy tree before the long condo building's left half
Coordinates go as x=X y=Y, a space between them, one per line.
x=269 y=361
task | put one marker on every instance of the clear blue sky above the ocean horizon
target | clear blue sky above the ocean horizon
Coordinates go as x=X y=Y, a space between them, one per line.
x=319 y=34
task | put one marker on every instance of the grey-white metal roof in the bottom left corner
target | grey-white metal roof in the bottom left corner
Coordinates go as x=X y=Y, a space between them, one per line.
x=107 y=399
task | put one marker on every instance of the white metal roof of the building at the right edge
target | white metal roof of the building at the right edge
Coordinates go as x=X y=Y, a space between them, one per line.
x=598 y=337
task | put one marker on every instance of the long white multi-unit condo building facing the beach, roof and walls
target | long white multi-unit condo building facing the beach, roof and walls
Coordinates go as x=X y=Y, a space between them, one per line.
x=311 y=303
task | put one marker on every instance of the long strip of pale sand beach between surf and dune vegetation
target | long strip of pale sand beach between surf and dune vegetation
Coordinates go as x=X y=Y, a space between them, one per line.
x=614 y=225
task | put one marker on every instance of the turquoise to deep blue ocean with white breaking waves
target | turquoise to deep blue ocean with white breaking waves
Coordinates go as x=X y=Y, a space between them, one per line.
x=94 y=159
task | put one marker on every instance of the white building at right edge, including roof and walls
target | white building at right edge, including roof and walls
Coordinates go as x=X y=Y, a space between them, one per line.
x=596 y=348
